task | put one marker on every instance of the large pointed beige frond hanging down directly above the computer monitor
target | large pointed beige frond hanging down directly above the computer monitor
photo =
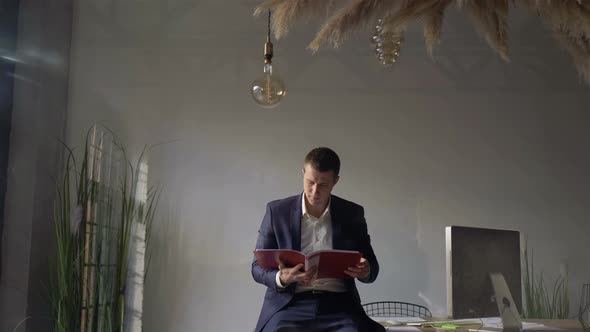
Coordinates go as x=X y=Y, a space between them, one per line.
x=491 y=18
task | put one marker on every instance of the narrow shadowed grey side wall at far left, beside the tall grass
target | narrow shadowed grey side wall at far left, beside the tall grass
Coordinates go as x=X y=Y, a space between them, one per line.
x=38 y=119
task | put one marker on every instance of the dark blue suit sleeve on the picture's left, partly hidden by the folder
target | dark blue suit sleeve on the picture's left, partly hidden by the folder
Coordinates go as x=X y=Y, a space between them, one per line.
x=266 y=240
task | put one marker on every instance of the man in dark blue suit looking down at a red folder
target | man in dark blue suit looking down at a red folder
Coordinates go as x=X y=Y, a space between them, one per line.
x=315 y=220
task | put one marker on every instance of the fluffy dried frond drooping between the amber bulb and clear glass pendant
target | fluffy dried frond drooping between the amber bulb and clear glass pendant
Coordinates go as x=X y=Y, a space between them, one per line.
x=358 y=12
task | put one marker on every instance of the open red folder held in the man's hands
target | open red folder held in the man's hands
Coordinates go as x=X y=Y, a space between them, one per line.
x=329 y=263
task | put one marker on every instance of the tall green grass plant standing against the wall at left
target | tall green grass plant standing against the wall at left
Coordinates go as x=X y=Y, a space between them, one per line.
x=96 y=209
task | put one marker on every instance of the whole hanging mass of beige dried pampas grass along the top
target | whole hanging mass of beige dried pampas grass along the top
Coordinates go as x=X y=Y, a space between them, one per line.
x=569 y=20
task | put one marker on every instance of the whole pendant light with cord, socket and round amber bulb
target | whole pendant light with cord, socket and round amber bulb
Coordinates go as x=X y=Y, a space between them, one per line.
x=268 y=90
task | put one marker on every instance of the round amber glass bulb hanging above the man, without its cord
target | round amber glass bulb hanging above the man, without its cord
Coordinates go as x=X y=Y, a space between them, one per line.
x=268 y=90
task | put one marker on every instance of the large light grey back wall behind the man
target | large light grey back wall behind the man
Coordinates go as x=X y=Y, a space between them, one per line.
x=465 y=140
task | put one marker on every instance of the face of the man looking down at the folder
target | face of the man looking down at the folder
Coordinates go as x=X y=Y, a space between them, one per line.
x=317 y=186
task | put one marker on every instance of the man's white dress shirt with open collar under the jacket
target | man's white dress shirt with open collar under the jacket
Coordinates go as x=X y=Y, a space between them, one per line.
x=316 y=234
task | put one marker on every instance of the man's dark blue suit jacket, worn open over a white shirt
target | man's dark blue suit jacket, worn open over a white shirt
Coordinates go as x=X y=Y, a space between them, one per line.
x=281 y=229
